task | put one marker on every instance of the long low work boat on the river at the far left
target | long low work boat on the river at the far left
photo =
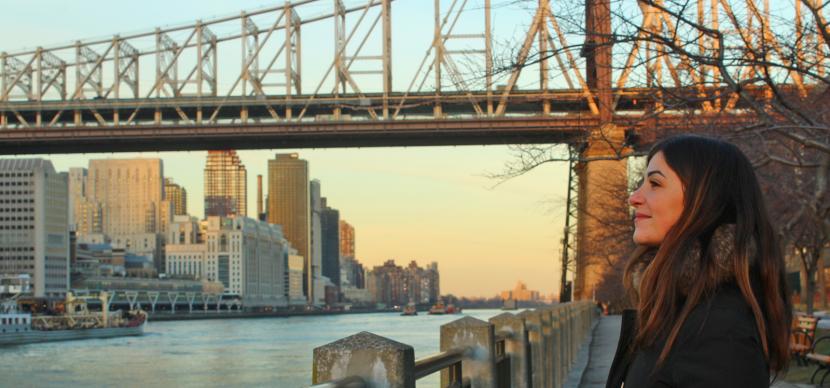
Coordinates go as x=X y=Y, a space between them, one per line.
x=75 y=322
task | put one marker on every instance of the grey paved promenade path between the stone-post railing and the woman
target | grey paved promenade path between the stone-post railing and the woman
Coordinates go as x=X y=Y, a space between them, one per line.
x=596 y=358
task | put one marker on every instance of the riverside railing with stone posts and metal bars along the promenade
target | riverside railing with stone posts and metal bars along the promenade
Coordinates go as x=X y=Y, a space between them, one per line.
x=535 y=348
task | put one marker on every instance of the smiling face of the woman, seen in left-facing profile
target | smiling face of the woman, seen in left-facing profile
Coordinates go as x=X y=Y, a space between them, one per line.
x=658 y=203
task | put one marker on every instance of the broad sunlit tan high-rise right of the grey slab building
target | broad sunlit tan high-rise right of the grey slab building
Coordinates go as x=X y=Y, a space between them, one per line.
x=127 y=196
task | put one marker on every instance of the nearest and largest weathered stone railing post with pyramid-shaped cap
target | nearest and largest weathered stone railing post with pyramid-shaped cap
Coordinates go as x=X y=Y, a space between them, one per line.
x=381 y=362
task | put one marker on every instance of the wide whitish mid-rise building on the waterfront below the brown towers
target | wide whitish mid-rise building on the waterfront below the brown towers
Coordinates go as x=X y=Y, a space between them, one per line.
x=245 y=255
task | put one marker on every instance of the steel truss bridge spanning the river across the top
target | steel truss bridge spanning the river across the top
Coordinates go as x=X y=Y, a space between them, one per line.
x=160 y=89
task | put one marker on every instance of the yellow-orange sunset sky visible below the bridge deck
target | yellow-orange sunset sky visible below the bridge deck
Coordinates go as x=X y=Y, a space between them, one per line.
x=430 y=181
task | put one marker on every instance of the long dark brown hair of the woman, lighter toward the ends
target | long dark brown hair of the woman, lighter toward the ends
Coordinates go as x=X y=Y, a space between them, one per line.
x=720 y=187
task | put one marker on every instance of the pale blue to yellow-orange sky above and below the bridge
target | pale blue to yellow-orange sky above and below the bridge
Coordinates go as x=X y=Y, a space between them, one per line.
x=408 y=203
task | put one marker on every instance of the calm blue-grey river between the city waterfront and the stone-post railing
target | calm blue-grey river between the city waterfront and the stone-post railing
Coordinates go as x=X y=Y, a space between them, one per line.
x=275 y=352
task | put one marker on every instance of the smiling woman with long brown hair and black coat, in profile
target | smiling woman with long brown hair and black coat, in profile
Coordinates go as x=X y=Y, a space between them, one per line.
x=713 y=307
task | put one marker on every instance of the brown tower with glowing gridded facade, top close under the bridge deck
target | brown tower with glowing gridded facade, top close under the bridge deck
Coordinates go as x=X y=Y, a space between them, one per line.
x=226 y=190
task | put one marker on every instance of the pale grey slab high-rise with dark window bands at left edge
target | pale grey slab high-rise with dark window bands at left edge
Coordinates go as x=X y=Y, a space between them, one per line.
x=34 y=224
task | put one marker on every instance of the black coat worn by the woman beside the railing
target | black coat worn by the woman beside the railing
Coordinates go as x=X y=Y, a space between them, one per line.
x=717 y=346
